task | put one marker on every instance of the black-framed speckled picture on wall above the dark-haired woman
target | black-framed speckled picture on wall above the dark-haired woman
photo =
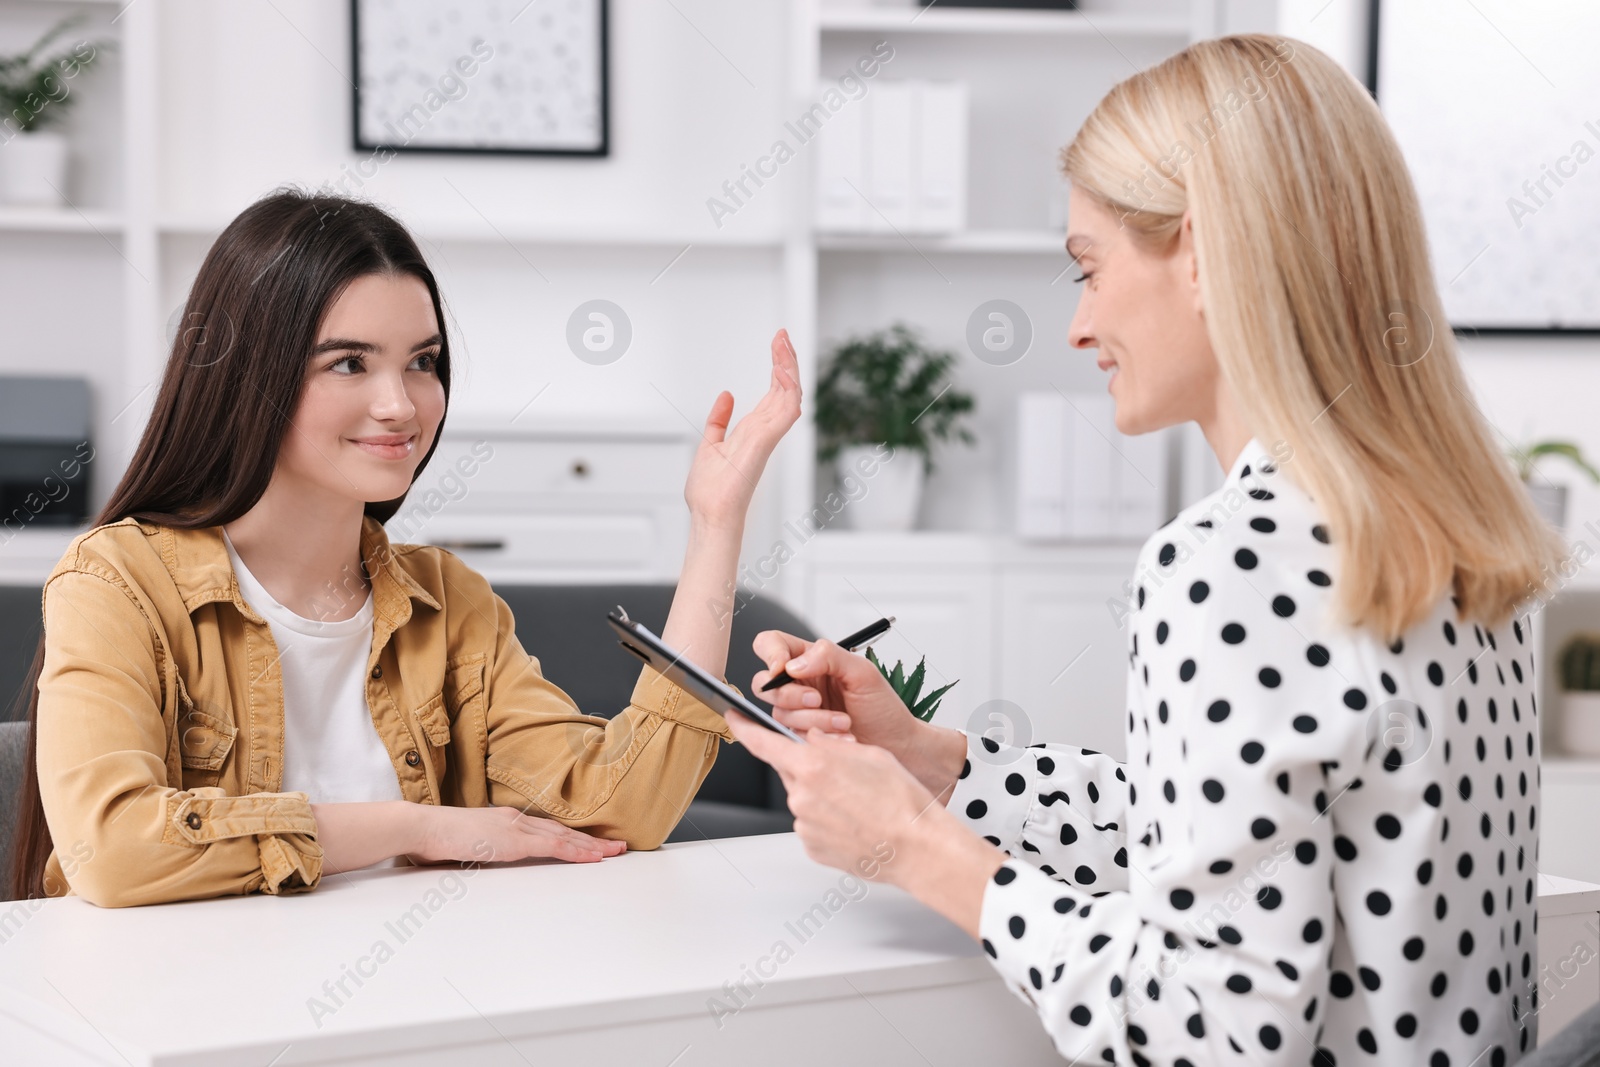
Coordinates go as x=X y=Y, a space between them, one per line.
x=524 y=78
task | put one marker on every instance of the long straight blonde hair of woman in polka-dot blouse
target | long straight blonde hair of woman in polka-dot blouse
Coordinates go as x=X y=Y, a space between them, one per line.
x=1324 y=316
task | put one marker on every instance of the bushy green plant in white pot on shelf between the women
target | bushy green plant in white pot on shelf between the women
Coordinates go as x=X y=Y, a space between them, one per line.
x=887 y=393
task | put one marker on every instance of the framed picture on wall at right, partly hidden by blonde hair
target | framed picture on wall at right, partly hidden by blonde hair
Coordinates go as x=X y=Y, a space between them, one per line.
x=1500 y=140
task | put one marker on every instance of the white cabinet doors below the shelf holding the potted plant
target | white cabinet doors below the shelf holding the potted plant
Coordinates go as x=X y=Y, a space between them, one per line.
x=1026 y=629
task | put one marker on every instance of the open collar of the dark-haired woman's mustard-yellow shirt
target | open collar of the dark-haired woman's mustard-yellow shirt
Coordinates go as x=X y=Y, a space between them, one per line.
x=204 y=572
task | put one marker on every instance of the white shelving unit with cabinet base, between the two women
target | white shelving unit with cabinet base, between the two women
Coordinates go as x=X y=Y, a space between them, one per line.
x=985 y=609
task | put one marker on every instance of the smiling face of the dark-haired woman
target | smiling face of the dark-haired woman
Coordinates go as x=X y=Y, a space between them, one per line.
x=374 y=399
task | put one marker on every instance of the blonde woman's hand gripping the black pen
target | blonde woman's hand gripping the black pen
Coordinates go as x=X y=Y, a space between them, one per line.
x=839 y=692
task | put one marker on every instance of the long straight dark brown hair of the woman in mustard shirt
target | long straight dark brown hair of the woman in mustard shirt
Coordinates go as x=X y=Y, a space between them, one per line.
x=230 y=393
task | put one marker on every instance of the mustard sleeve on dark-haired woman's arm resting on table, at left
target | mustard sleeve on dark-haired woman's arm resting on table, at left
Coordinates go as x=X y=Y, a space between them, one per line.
x=103 y=770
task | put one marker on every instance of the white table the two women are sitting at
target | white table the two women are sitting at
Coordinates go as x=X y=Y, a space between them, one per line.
x=622 y=962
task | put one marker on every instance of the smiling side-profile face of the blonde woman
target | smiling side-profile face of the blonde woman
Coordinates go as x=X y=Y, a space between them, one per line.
x=1142 y=310
